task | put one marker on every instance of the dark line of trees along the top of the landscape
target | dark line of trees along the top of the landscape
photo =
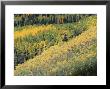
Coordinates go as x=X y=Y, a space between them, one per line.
x=40 y=19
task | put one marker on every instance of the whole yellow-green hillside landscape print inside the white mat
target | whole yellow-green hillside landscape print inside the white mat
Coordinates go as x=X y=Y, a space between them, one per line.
x=55 y=45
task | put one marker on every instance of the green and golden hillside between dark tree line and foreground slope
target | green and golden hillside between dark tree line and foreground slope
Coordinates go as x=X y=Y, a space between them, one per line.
x=32 y=40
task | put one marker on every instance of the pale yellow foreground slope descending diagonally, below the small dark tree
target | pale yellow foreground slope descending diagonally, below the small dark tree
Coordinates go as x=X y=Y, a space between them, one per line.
x=76 y=57
